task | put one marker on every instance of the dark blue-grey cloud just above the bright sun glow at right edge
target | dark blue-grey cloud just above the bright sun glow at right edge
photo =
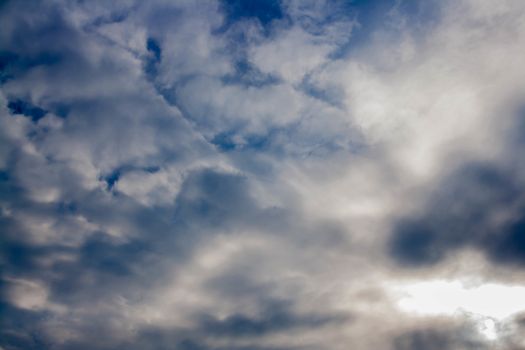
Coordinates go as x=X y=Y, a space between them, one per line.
x=462 y=211
